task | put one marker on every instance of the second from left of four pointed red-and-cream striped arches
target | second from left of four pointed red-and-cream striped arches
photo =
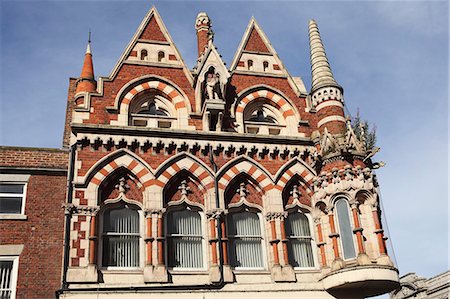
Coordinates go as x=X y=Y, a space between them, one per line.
x=186 y=162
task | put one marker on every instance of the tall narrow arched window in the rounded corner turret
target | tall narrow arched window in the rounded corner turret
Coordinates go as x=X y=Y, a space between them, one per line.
x=345 y=228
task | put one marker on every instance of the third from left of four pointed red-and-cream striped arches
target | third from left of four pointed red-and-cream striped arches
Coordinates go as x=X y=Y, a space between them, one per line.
x=249 y=167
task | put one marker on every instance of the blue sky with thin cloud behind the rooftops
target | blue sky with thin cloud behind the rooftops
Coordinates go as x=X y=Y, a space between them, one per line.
x=391 y=57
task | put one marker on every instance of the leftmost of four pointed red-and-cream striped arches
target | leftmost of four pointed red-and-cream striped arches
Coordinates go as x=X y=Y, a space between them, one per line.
x=135 y=166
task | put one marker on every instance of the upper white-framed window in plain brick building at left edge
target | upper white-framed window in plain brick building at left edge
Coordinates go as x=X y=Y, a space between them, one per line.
x=12 y=197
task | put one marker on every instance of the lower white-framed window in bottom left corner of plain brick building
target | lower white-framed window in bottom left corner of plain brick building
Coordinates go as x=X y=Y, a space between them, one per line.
x=8 y=276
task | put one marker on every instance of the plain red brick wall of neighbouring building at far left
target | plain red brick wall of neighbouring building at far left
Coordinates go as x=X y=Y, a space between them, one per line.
x=40 y=263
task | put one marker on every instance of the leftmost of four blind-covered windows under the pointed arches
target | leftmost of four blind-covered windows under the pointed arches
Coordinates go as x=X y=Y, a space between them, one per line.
x=120 y=237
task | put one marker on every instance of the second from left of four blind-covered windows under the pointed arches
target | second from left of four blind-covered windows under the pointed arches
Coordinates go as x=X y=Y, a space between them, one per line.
x=185 y=242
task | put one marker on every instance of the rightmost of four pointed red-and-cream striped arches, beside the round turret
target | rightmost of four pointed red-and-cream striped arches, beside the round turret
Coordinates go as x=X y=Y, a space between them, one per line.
x=289 y=170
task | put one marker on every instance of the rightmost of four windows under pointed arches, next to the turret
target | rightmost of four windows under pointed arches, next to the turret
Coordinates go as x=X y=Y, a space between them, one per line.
x=300 y=241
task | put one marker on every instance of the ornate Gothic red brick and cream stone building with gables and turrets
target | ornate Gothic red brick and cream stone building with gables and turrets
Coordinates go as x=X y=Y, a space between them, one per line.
x=218 y=181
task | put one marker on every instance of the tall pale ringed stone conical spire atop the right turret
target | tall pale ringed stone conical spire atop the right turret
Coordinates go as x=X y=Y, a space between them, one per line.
x=320 y=68
